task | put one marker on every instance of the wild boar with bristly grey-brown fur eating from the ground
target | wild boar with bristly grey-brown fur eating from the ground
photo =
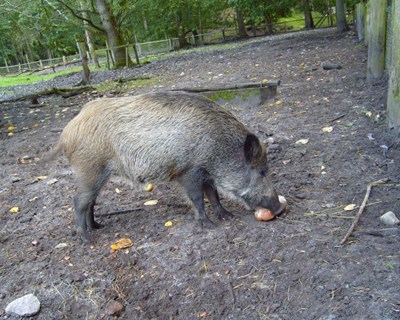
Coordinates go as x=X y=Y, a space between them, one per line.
x=166 y=136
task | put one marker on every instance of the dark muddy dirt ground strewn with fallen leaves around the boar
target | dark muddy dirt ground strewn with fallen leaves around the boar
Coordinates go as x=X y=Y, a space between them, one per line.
x=293 y=267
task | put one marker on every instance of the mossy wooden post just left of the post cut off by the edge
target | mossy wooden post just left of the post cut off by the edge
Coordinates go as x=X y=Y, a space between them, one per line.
x=377 y=41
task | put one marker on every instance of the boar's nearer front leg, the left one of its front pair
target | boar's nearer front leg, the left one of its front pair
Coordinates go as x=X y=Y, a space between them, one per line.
x=193 y=182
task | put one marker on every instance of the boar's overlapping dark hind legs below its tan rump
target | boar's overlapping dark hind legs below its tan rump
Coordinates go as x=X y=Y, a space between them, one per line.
x=89 y=185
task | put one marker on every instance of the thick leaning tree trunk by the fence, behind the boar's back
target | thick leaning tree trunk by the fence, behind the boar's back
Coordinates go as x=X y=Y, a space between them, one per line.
x=113 y=36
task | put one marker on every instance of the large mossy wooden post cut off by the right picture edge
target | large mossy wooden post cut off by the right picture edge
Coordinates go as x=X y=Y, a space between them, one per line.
x=393 y=102
